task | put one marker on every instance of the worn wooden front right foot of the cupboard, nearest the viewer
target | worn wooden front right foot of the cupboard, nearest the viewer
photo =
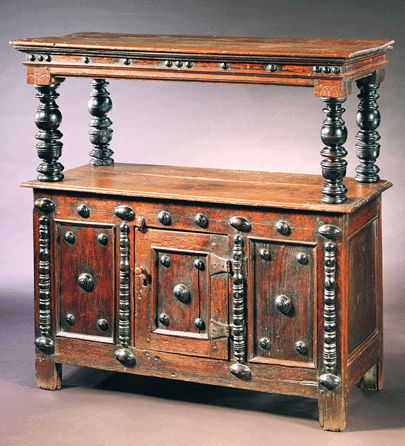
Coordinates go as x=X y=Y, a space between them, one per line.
x=332 y=410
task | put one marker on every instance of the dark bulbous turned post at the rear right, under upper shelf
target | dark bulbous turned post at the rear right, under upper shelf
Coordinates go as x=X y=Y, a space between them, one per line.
x=368 y=119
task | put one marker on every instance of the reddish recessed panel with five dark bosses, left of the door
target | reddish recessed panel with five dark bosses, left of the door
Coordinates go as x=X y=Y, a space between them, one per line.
x=86 y=280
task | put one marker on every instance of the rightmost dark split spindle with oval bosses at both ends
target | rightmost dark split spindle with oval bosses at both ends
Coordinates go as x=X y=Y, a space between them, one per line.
x=329 y=379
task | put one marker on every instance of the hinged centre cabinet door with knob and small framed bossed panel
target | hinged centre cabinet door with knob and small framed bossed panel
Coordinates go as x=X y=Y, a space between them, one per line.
x=182 y=292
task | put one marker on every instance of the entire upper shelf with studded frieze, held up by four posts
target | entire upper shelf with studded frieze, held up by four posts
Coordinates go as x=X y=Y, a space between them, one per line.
x=329 y=65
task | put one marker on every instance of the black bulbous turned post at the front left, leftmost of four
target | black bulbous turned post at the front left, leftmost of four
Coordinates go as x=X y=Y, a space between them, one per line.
x=47 y=119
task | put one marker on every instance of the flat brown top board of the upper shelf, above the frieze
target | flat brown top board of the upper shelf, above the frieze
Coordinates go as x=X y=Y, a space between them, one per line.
x=211 y=45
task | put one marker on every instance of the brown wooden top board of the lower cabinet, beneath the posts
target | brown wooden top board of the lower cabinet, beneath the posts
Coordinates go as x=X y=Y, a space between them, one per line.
x=232 y=187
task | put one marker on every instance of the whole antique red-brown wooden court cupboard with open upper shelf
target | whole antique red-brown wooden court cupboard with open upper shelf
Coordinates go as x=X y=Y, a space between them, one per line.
x=135 y=233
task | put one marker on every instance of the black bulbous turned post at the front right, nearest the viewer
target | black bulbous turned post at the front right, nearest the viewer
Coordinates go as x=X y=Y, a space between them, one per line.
x=334 y=135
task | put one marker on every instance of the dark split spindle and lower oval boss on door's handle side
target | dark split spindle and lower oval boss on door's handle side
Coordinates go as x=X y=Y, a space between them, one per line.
x=124 y=355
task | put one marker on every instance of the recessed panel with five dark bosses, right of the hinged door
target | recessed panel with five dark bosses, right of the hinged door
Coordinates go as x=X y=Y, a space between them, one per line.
x=282 y=298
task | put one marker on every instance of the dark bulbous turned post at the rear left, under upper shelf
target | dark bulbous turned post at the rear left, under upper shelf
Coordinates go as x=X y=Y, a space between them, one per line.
x=100 y=134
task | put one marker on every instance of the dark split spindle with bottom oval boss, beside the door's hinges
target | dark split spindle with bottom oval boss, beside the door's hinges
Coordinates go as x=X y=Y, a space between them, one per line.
x=239 y=369
